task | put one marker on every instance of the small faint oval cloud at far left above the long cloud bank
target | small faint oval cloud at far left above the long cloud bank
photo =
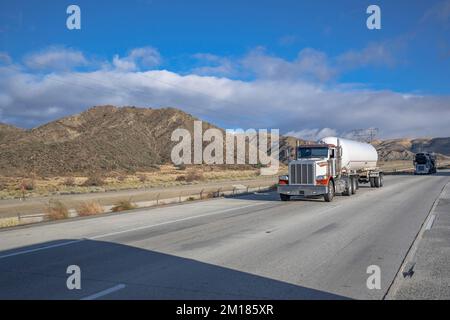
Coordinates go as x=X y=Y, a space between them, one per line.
x=55 y=59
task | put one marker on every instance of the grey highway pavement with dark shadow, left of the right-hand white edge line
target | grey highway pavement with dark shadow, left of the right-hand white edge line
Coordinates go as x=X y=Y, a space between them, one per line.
x=252 y=247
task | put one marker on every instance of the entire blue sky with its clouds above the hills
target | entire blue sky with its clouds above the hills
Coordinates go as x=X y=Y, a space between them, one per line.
x=212 y=54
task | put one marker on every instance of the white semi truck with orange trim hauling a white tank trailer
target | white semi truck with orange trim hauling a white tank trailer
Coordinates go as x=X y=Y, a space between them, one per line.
x=330 y=167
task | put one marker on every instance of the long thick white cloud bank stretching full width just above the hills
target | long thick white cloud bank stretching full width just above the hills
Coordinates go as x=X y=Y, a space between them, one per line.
x=304 y=108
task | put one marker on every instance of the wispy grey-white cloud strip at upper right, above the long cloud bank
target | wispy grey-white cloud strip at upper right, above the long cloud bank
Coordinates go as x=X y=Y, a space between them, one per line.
x=309 y=64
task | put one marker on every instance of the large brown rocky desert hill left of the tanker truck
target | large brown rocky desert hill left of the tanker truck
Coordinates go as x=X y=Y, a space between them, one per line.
x=104 y=138
